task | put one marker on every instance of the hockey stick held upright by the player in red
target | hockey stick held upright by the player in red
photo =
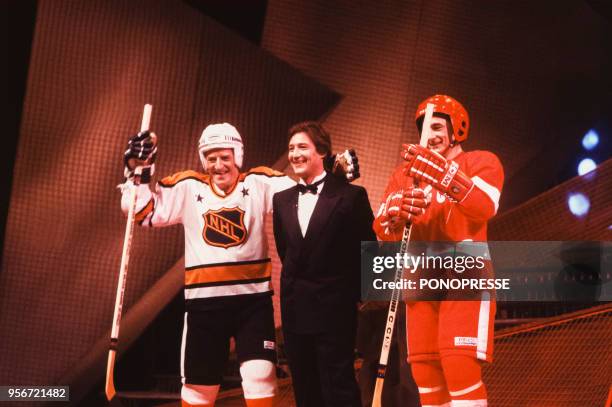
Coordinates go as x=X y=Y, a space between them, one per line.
x=399 y=273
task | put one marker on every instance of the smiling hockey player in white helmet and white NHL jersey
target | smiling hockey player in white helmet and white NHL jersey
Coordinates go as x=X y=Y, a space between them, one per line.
x=228 y=290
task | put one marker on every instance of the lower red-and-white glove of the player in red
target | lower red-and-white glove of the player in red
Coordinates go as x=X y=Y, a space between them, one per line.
x=405 y=206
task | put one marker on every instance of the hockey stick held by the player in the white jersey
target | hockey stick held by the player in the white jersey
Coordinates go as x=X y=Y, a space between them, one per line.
x=109 y=387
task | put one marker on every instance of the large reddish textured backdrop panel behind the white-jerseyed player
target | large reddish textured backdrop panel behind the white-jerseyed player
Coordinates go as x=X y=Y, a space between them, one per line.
x=93 y=67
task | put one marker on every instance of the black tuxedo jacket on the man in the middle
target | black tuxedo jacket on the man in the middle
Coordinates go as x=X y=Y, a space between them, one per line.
x=320 y=279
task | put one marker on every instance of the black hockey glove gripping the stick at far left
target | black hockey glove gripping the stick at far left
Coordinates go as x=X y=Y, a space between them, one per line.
x=141 y=151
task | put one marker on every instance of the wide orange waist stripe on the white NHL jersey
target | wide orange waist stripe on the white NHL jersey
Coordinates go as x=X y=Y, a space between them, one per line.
x=216 y=274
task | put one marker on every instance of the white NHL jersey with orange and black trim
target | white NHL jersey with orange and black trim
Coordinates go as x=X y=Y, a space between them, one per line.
x=226 y=252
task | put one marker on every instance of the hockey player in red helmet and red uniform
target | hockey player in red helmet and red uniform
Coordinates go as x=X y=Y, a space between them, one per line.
x=447 y=340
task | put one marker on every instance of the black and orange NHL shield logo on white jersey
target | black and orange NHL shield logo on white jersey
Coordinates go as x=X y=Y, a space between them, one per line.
x=224 y=227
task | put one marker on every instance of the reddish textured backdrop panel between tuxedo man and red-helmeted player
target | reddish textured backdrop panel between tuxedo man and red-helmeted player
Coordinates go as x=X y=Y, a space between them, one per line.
x=364 y=50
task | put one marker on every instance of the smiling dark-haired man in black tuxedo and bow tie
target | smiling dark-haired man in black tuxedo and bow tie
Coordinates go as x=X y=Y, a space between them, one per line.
x=318 y=226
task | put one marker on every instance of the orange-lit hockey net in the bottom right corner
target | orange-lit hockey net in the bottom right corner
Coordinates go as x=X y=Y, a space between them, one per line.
x=560 y=361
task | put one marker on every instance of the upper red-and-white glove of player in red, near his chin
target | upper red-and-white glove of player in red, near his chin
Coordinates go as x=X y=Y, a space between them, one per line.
x=432 y=168
